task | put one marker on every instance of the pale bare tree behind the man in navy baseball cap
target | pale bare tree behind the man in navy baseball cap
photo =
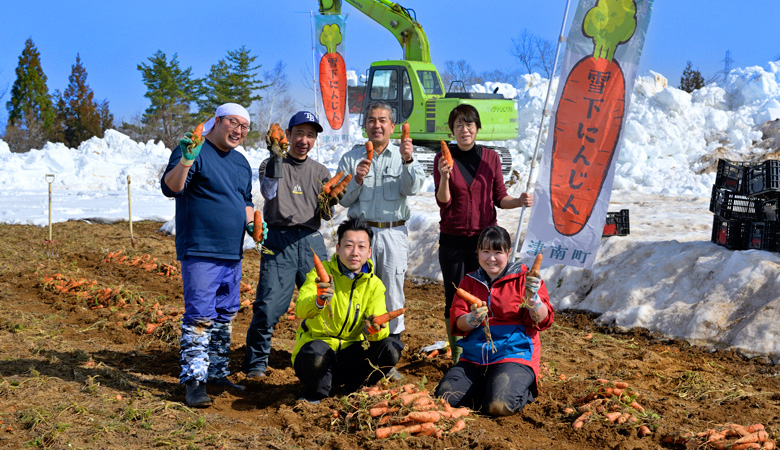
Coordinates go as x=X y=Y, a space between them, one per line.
x=277 y=104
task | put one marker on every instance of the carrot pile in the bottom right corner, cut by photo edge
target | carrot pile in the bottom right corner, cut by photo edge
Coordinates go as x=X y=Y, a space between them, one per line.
x=729 y=436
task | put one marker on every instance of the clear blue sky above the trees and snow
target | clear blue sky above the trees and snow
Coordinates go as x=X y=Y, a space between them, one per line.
x=112 y=38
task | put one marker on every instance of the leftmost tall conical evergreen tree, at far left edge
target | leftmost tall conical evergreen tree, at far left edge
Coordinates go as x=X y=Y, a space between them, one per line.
x=30 y=106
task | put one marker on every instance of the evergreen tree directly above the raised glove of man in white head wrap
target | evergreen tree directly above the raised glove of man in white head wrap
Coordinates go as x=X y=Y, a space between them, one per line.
x=170 y=91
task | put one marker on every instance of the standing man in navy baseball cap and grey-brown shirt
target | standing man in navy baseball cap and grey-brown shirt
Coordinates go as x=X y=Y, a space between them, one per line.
x=291 y=186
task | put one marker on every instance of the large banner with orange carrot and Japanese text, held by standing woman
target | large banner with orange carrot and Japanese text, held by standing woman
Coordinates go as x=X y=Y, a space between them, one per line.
x=572 y=192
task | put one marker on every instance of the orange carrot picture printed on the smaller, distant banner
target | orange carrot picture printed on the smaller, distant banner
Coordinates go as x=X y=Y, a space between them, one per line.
x=333 y=77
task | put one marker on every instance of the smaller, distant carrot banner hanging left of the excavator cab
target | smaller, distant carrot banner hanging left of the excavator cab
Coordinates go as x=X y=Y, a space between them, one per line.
x=331 y=78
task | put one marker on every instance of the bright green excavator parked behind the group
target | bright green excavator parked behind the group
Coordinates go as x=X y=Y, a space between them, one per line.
x=413 y=87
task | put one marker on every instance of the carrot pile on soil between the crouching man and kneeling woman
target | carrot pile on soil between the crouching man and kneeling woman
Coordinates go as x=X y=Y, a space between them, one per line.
x=406 y=410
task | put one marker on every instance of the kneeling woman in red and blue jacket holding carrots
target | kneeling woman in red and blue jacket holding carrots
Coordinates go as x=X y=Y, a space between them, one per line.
x=497 y=375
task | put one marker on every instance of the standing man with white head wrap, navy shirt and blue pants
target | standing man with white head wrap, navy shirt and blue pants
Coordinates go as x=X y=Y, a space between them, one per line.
x=212 y=185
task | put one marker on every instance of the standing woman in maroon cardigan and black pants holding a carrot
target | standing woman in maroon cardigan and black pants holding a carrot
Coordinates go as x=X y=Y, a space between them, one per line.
x=467 y=194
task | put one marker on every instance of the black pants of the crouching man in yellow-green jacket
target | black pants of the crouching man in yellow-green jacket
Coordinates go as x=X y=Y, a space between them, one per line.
x=320 y=368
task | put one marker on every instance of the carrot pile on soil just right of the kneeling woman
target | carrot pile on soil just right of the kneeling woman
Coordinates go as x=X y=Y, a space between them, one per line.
x=613 y=402
